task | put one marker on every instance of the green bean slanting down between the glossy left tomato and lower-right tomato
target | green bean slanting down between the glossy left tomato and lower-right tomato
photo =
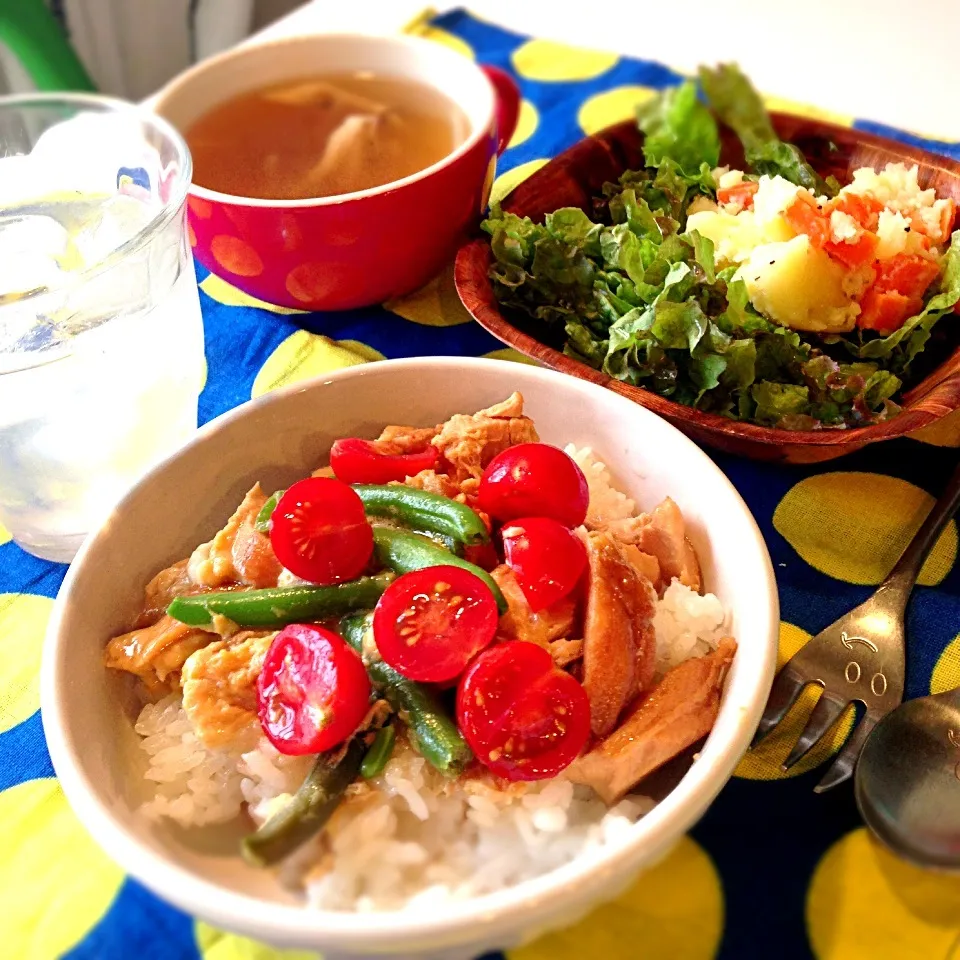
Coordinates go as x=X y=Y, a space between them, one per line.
x=432 y=731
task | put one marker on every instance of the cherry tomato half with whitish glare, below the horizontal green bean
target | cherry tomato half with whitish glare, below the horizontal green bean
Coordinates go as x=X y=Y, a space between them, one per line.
x=313 y=691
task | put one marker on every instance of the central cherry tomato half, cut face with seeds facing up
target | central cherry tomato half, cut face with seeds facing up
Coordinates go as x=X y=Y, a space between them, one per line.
x=430 y=623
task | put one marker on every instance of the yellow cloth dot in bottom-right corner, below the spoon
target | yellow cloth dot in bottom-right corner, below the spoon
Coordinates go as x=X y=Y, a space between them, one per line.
x=863 y=902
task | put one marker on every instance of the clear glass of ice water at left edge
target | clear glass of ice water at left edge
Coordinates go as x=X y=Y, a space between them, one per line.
x=101 y=339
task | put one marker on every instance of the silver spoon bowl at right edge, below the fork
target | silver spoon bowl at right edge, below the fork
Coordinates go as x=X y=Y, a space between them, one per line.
x=907 y=782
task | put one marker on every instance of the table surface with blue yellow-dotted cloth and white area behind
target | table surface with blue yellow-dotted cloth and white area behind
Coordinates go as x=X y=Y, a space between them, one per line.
x=771 y=870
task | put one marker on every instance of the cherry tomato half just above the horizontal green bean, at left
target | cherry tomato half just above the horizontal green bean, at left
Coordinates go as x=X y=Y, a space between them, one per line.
x=320 y=532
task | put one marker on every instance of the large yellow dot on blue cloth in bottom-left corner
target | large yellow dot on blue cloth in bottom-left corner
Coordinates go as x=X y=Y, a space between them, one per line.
x=55 y=882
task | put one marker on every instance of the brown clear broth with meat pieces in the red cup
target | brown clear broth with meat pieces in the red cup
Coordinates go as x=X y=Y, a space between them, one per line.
x=323 y=136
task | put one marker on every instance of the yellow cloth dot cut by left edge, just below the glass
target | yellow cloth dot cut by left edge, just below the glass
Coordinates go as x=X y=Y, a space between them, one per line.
x=23 y=621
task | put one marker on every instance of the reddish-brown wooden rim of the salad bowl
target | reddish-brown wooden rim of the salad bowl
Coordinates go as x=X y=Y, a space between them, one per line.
x=486 y=311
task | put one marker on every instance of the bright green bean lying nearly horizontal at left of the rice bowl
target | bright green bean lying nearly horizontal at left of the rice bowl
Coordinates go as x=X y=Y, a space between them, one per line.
x=277 y=606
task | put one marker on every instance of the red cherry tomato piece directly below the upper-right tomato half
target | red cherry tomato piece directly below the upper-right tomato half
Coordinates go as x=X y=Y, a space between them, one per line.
x=547 y=558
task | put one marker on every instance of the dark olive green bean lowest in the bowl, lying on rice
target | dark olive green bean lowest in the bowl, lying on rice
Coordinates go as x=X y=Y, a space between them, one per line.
x=309 y=810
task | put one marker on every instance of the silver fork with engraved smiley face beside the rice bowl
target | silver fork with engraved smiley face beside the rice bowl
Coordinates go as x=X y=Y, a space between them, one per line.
x=860 y=657
